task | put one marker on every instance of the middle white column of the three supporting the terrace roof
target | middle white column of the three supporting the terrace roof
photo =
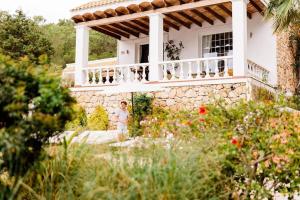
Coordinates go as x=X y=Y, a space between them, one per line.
x=156 y=39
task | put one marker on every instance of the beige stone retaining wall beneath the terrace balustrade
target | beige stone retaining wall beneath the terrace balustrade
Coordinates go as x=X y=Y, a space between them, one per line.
x=177 y=97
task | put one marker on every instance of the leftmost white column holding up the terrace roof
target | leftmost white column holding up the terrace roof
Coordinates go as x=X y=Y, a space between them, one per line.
x=82 y=53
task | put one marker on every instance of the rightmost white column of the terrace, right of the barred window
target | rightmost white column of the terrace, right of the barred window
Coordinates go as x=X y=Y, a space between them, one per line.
x=239 y=29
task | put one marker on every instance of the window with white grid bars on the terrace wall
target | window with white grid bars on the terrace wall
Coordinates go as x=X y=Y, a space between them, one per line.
x=217 y=44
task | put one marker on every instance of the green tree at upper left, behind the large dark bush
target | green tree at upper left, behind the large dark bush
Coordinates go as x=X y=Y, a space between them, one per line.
x=21 y=36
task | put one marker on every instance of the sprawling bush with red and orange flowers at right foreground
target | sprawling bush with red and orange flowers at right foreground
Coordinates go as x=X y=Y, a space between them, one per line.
x=260 y=143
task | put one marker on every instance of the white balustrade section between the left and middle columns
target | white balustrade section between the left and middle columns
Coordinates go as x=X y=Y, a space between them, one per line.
x=104 y=75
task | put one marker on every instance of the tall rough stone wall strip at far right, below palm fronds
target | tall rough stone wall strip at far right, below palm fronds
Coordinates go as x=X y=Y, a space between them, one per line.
x=286 y=72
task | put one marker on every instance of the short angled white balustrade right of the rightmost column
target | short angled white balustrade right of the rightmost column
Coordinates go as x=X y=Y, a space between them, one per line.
x=257 y=71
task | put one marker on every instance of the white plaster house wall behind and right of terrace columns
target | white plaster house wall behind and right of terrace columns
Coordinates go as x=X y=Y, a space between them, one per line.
x=261 y=43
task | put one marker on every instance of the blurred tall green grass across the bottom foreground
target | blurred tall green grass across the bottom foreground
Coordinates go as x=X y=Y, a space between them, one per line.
x=184 y=171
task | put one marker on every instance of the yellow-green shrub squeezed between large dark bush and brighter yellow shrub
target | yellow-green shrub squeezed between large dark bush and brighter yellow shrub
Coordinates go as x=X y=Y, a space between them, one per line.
x=79 y=120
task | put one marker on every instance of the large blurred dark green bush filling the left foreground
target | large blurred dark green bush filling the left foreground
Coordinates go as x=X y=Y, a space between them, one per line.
x=33 y=107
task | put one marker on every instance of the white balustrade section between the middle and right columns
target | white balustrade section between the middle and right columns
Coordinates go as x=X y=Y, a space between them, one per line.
x=199 y=68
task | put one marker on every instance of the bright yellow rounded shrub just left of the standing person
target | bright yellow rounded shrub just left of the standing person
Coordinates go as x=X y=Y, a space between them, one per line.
x=98 y=120
